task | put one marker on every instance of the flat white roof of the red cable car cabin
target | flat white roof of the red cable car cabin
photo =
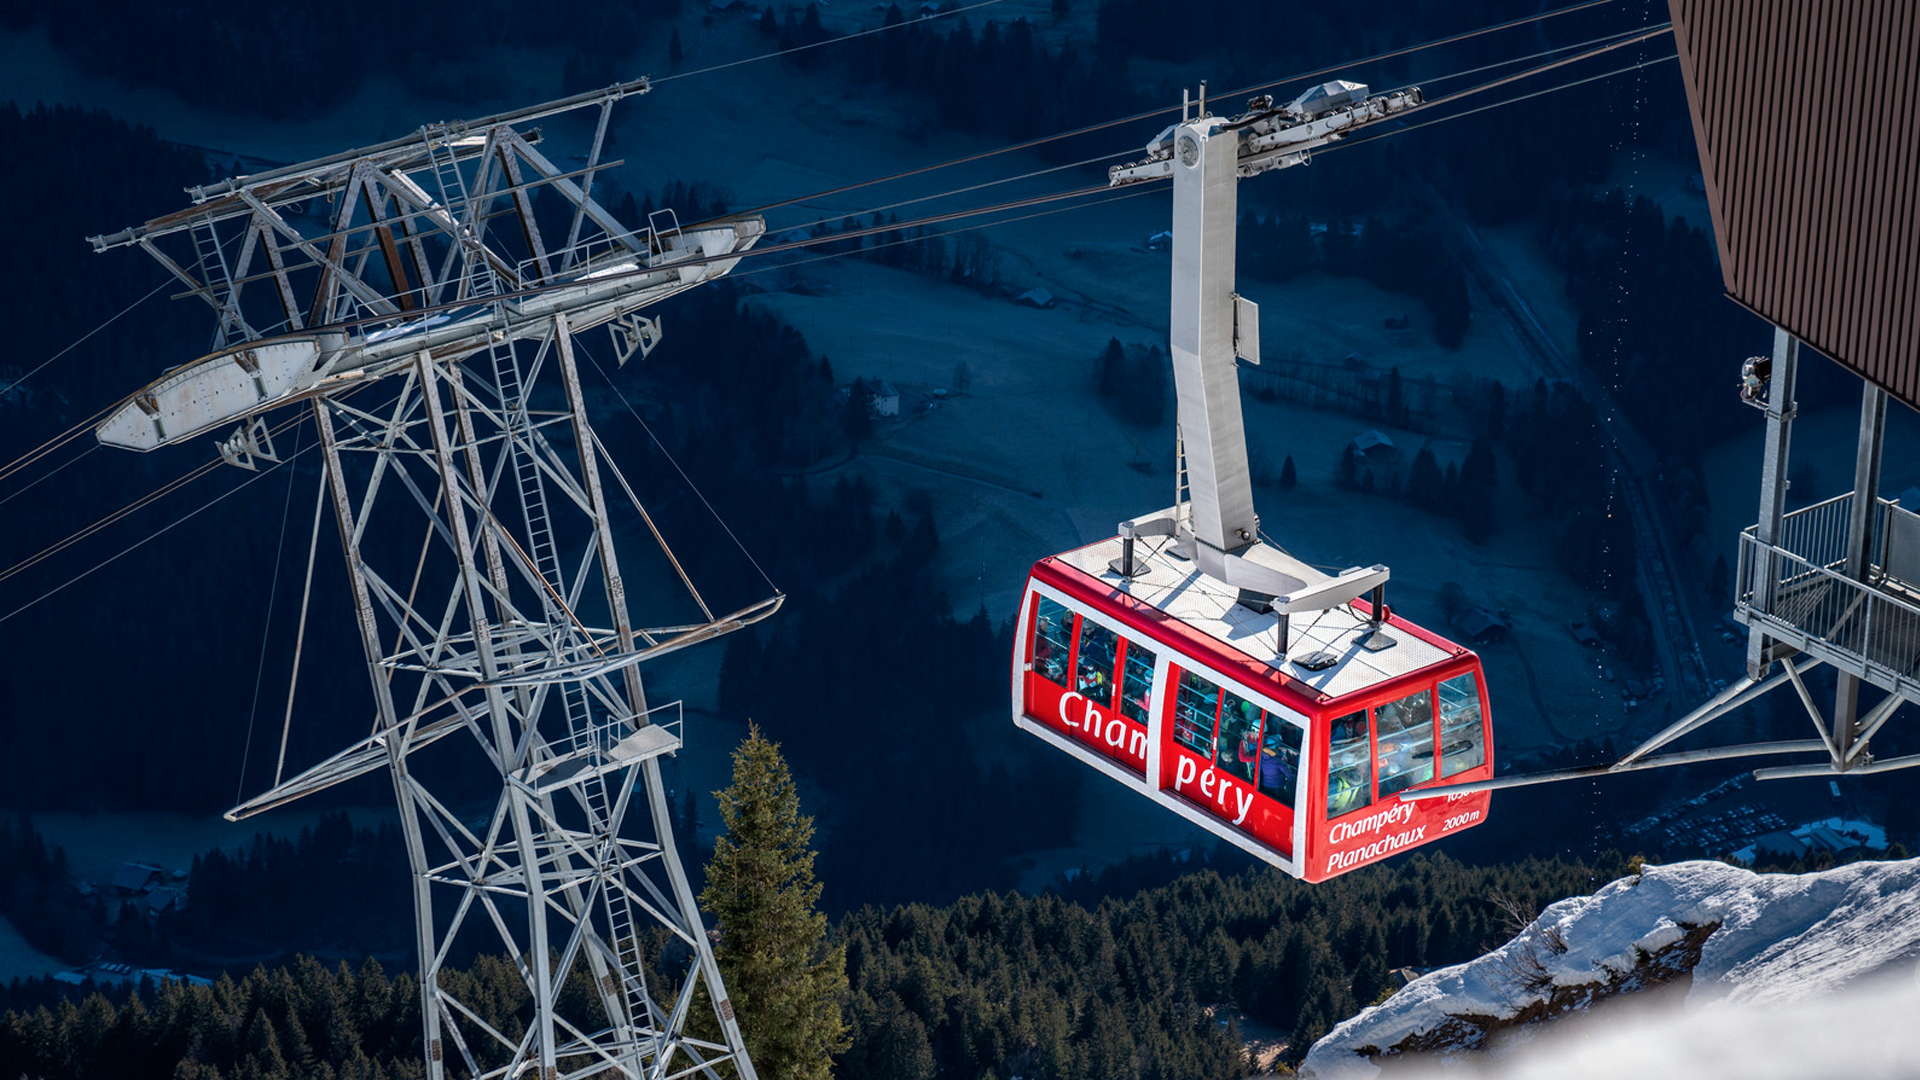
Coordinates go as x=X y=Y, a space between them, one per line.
x=1182 y=591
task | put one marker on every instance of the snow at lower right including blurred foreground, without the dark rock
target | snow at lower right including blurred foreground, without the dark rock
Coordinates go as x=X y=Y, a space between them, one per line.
x=1810 y=975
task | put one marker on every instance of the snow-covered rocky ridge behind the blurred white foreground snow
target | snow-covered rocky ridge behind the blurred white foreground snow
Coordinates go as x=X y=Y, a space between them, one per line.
x=1769 y=945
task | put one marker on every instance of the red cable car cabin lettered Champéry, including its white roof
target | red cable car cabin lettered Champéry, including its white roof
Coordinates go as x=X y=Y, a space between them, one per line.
x=1163 y=683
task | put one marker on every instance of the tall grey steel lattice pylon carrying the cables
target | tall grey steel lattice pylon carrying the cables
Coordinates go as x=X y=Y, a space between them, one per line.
x=508 y=622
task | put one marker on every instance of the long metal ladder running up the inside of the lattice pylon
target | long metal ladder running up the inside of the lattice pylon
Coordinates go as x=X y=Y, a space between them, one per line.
x=544 y=554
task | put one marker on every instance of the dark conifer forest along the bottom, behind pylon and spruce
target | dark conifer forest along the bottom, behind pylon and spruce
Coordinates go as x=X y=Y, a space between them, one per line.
x=996 y=985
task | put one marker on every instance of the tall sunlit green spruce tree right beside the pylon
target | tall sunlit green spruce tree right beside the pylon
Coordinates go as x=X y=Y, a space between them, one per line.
x=782 y=973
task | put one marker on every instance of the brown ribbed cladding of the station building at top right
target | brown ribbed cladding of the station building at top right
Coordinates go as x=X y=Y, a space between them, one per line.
x=1808 y=120
